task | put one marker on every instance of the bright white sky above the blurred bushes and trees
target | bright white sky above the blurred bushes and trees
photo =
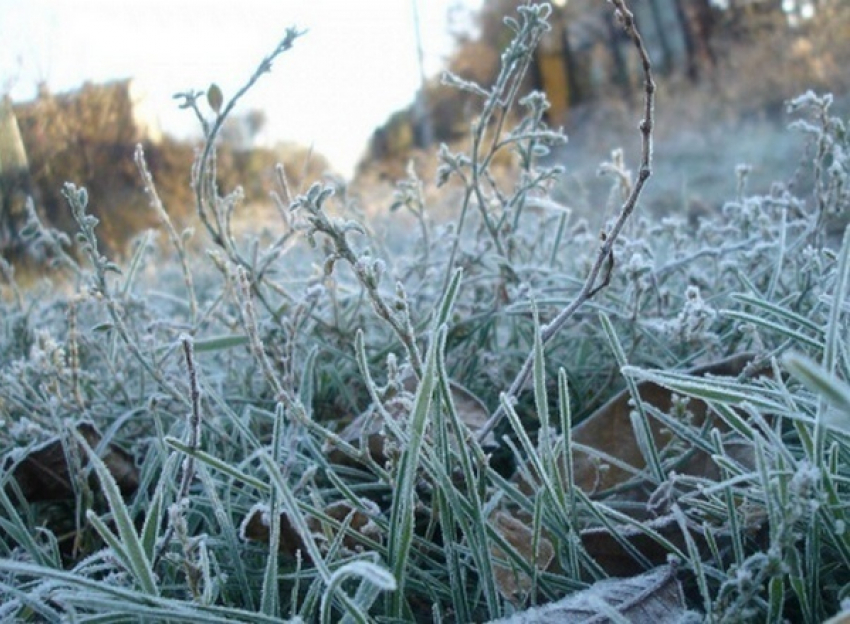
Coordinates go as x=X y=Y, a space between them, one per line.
x=355 y=66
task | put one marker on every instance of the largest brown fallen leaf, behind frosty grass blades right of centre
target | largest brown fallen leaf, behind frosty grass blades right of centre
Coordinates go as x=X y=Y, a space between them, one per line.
x=608 y=435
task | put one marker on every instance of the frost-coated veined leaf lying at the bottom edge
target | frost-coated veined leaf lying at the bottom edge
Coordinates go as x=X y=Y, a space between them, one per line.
x=652 y=598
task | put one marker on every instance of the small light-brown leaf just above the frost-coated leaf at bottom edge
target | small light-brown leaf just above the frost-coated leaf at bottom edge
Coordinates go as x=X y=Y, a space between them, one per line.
x=514 y=583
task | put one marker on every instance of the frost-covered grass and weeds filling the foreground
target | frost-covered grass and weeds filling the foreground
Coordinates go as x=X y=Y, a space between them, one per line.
x=316 y=429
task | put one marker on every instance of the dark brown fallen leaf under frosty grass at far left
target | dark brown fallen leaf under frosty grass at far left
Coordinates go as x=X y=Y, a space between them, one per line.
x=42 y=474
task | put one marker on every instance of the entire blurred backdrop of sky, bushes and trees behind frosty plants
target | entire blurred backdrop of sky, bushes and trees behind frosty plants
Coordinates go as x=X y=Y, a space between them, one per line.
x=359 y=96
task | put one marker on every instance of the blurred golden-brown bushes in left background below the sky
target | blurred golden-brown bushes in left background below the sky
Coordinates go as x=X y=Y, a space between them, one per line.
x=88 y=137
